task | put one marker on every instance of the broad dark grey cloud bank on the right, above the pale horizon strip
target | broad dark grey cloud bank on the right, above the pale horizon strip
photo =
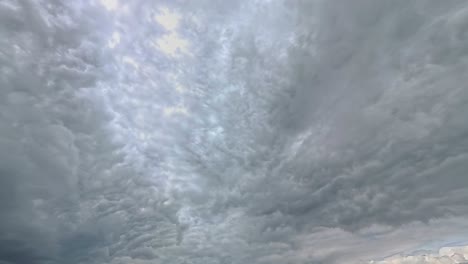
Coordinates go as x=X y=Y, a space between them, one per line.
x=387 y=146
